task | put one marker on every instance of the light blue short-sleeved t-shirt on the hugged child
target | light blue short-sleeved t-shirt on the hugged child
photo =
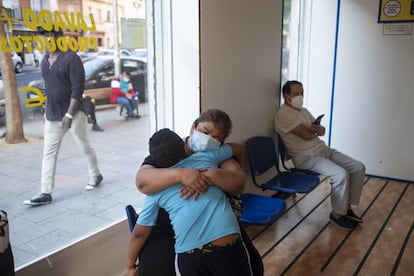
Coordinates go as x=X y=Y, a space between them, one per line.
x=195 y=222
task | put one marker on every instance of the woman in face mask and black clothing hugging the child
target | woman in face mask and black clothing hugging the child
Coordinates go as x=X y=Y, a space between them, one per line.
x=153 y=177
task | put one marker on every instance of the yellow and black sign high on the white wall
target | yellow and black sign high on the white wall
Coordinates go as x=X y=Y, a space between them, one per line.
x=393 y=11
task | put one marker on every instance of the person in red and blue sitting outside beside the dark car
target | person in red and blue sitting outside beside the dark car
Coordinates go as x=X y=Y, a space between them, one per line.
x=123 y=93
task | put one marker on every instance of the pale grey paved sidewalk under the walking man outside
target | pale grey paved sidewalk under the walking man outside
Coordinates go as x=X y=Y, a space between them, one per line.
x=74 y=212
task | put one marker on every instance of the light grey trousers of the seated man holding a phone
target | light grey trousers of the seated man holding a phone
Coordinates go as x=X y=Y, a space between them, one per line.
x=346 y=177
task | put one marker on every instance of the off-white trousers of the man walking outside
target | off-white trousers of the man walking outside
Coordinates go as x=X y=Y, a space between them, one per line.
x=53 y=136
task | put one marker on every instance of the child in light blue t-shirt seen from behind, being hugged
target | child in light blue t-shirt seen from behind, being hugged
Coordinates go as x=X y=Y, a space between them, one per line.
x=207 y=233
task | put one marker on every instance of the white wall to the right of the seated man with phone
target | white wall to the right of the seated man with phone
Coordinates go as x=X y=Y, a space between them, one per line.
x=373 y=91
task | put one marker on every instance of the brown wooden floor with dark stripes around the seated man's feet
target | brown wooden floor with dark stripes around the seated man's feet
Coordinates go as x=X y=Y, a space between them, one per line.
x=303 y=242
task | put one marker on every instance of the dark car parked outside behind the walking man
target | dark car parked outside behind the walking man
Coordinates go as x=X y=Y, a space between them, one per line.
x=99 y=73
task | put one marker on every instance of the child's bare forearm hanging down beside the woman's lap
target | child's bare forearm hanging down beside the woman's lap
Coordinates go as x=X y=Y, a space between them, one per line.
x=138 y=238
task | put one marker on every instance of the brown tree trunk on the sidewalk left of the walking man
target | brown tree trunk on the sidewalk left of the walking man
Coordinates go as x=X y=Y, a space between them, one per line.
x=14 y=122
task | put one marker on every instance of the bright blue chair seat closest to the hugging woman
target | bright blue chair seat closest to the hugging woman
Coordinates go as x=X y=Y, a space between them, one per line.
x=261 y=210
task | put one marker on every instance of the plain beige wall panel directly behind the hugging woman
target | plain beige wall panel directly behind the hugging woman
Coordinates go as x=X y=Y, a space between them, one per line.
x=240 y=44
